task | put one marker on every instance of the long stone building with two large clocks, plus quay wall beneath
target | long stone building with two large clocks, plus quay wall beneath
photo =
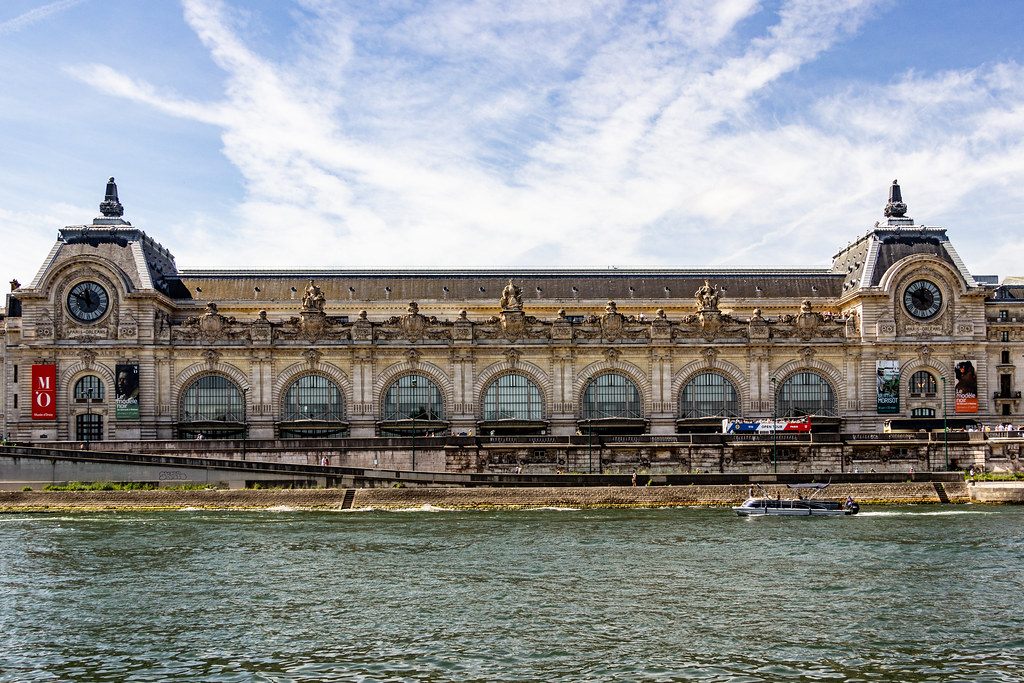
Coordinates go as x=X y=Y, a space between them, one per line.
x=902 y=359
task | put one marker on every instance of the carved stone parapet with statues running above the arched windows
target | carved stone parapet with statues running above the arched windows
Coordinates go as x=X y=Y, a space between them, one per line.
x=514 y=326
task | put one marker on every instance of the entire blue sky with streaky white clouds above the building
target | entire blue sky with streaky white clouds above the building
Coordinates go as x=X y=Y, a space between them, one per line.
x=324 y=134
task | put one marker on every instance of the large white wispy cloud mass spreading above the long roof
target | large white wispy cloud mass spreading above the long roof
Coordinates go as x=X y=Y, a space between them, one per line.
x=480 y=133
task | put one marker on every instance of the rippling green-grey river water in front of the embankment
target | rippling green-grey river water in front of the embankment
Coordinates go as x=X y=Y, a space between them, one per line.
x=932 y=593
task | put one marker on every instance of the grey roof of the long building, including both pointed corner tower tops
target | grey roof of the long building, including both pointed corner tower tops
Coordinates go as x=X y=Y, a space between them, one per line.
x=150 y=266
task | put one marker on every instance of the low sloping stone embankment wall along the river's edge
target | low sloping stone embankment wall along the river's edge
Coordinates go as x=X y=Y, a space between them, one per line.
x=460 y=498
